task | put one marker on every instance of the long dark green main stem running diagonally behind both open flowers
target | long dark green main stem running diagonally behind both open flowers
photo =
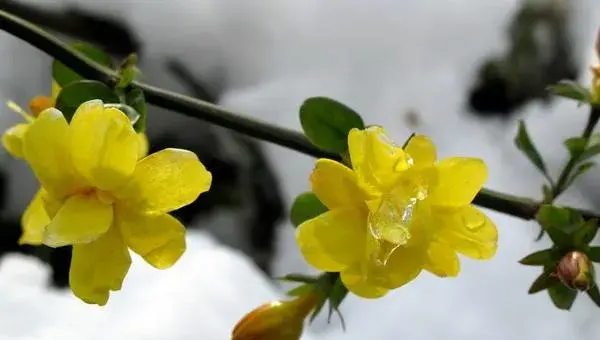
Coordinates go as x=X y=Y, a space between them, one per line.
x=513 y=205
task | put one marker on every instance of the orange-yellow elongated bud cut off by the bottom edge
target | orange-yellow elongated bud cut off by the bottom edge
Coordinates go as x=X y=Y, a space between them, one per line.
x=277 y=320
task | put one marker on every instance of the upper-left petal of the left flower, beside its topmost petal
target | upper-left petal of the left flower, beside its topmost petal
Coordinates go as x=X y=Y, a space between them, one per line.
x=45 y=149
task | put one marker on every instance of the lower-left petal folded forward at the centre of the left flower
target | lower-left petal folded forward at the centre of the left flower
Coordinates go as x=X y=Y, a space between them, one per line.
x=82 y=219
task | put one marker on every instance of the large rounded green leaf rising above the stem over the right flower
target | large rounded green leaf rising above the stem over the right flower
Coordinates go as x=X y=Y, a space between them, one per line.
x=327 y=123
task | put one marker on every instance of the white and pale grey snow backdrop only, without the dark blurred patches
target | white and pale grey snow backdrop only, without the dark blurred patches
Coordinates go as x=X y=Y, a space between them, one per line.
x=381 y=57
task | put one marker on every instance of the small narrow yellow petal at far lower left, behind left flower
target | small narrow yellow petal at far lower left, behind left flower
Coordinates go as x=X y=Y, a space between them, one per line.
x=34 y=221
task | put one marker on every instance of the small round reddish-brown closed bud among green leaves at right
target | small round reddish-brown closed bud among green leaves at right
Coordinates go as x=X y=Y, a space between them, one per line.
x=576 y=271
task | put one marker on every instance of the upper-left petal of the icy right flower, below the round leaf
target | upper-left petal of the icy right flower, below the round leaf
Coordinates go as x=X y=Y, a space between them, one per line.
x=335 y=185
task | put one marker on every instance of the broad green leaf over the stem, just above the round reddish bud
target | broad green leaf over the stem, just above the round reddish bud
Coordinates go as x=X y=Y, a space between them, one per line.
x=559 y=223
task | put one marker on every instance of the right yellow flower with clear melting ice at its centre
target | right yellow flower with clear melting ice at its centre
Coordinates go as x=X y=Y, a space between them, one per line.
x=398 y=212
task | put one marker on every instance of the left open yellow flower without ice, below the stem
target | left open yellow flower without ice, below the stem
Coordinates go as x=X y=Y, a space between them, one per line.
x=97 y=196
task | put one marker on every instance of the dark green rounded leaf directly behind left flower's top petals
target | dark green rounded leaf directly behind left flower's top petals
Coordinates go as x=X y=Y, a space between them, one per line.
x=79 y=92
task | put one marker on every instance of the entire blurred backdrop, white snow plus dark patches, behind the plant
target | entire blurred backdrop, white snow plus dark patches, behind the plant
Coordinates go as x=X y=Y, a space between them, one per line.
x=461 y=71
